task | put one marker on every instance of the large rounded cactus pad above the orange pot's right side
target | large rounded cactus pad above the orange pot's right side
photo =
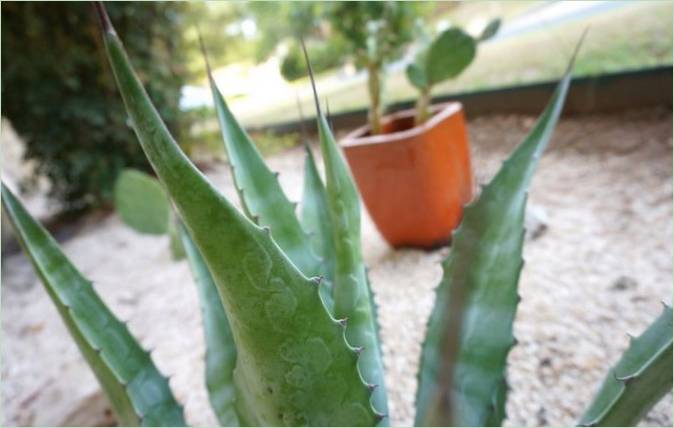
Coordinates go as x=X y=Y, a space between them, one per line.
x=449 y=54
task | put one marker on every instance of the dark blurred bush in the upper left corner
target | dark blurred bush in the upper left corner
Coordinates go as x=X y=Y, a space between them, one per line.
x=60 y=95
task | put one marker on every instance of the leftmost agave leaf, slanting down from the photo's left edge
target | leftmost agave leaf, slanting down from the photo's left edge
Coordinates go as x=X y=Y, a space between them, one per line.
x=138 y=393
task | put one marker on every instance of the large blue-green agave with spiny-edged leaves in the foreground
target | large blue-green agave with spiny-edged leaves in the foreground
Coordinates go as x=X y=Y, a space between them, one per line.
x=290 y=323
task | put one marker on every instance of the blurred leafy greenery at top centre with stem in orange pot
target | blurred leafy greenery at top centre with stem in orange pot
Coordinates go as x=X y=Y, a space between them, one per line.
x=368 y=33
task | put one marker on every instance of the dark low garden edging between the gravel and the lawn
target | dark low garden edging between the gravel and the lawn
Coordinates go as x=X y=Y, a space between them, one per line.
x=603 y=93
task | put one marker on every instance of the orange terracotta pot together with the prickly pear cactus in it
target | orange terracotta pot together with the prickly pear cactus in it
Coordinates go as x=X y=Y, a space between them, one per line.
x=401 y=168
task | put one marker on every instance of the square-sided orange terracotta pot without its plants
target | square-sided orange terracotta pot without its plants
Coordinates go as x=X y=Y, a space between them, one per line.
x=414 y=180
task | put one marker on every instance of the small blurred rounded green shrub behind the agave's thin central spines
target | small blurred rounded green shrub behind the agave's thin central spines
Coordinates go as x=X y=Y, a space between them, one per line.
x=324 y=56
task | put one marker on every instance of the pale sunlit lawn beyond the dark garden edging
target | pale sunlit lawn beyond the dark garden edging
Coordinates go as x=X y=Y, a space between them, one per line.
x=634 y=36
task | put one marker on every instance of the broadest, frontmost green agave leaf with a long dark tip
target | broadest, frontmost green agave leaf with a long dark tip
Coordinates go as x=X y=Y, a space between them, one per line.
x=294 y=366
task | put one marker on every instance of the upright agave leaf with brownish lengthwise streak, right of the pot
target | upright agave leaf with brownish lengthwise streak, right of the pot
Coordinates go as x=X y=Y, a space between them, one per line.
x=463 y=361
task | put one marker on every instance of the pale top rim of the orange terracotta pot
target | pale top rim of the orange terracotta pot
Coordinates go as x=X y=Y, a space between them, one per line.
x=442 y=111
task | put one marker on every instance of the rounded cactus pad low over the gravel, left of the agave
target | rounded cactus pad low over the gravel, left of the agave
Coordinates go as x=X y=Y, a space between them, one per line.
x=141 y=202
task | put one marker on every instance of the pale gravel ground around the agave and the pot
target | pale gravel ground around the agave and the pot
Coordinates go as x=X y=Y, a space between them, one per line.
x=598 y=271
